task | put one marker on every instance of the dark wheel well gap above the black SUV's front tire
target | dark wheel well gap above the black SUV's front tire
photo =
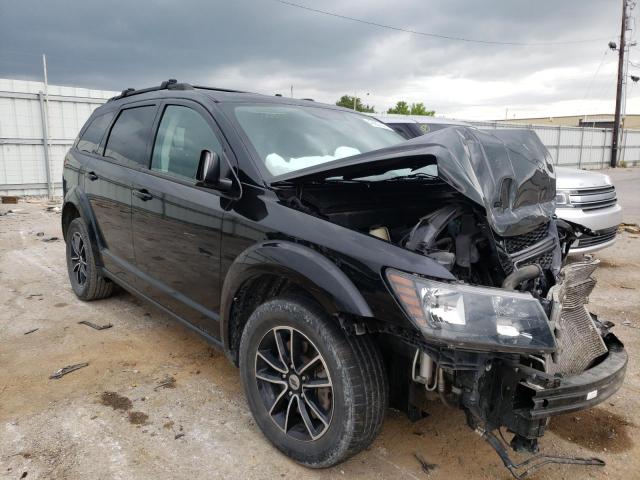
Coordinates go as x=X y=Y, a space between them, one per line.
x=254 y=292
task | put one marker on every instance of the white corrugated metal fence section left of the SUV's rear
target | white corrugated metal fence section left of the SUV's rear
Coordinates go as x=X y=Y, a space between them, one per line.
x=23 y=109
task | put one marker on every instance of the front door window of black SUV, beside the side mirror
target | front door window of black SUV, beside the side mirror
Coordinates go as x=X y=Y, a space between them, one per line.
x=182 y=135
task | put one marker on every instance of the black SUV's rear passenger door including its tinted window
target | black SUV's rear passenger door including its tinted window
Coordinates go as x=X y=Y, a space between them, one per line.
x=107 y=182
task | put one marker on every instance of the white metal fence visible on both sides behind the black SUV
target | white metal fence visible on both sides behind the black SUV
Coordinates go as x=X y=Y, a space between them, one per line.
x=27 y=125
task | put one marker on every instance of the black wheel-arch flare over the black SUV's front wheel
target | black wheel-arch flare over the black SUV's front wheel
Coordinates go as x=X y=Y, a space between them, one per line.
x=303 y=266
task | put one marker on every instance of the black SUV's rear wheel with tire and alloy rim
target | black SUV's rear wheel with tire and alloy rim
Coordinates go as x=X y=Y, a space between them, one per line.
x=84 y=275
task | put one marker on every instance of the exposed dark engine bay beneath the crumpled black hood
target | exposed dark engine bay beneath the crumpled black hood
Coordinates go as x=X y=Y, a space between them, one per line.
x=431 y=218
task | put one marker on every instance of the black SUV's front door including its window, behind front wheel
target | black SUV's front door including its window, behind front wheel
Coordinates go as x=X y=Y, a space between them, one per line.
x=176 y=225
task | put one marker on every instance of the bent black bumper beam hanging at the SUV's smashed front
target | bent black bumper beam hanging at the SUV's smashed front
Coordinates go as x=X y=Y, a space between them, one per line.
x=584 y=390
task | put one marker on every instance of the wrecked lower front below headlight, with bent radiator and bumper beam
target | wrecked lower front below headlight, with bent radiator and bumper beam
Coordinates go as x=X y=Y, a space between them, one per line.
x=521 y=392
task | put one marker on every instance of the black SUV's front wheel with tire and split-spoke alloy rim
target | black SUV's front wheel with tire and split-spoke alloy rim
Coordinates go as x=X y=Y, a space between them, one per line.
x=318 y=394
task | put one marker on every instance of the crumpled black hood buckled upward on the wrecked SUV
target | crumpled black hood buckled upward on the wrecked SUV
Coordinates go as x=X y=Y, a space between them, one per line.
x=508 y=172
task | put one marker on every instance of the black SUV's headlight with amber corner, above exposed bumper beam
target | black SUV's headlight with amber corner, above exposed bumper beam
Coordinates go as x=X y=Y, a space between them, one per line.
x=473 y=317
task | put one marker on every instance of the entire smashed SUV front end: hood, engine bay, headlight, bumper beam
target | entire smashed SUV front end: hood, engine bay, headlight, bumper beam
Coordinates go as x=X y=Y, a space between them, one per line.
x=510 y=340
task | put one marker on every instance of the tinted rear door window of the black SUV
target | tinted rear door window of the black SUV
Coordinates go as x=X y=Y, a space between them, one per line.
x=129 y=135
